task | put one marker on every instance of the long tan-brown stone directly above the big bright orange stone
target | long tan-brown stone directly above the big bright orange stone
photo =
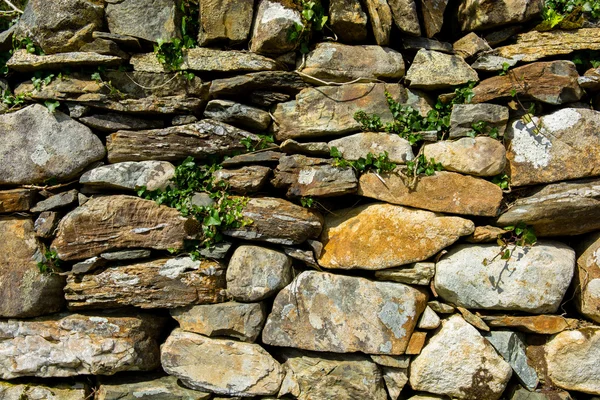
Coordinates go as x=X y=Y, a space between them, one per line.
x=444 y=191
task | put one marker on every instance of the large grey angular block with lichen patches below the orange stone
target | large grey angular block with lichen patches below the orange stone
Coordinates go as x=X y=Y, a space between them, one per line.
x=342 y=314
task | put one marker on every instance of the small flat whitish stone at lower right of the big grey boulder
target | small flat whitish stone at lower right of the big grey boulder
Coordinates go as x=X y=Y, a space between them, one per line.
x=152 y=175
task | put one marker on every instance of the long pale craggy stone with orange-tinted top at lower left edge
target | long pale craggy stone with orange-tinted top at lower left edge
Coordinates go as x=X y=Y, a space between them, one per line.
x=77 y=344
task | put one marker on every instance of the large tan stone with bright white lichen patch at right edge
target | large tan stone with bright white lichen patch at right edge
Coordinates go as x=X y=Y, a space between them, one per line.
x=561 y=146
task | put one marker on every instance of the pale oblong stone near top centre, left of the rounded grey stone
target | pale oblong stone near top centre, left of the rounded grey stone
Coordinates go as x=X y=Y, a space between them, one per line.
x=338 y=62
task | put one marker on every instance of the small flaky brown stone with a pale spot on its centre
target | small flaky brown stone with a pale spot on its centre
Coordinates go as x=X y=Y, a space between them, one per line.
x=306 y=177
